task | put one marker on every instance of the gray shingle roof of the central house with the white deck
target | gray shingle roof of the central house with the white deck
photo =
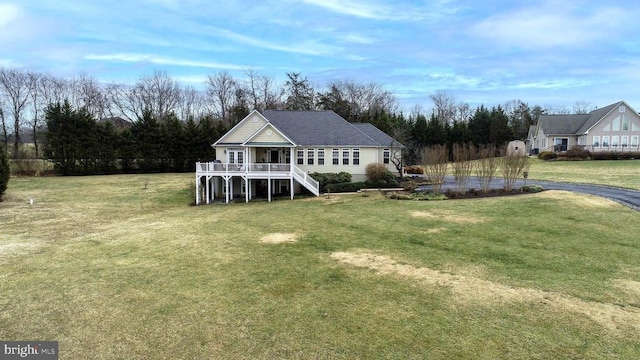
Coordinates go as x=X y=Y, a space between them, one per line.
x=323 y=128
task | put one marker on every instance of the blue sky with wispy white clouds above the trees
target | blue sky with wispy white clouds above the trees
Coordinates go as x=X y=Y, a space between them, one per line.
x=552 y=52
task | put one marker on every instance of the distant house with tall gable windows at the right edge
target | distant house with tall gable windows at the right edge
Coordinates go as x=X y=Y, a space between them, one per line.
x=612 y=128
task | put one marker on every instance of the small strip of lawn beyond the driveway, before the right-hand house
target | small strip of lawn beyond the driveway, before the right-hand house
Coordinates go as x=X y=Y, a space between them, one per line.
x=621 y=173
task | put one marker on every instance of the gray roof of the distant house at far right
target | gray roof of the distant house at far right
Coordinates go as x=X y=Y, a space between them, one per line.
x=573 y=123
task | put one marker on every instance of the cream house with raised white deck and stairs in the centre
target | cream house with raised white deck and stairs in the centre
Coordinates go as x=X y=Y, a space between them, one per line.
x=273 y=153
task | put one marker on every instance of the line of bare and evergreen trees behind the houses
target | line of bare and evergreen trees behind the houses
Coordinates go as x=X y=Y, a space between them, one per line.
x=114 y=118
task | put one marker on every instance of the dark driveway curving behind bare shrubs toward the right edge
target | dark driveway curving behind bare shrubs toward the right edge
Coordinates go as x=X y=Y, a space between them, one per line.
x=630 y=198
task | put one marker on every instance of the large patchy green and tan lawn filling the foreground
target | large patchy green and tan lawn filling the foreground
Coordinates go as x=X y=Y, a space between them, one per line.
x=116 y=271
